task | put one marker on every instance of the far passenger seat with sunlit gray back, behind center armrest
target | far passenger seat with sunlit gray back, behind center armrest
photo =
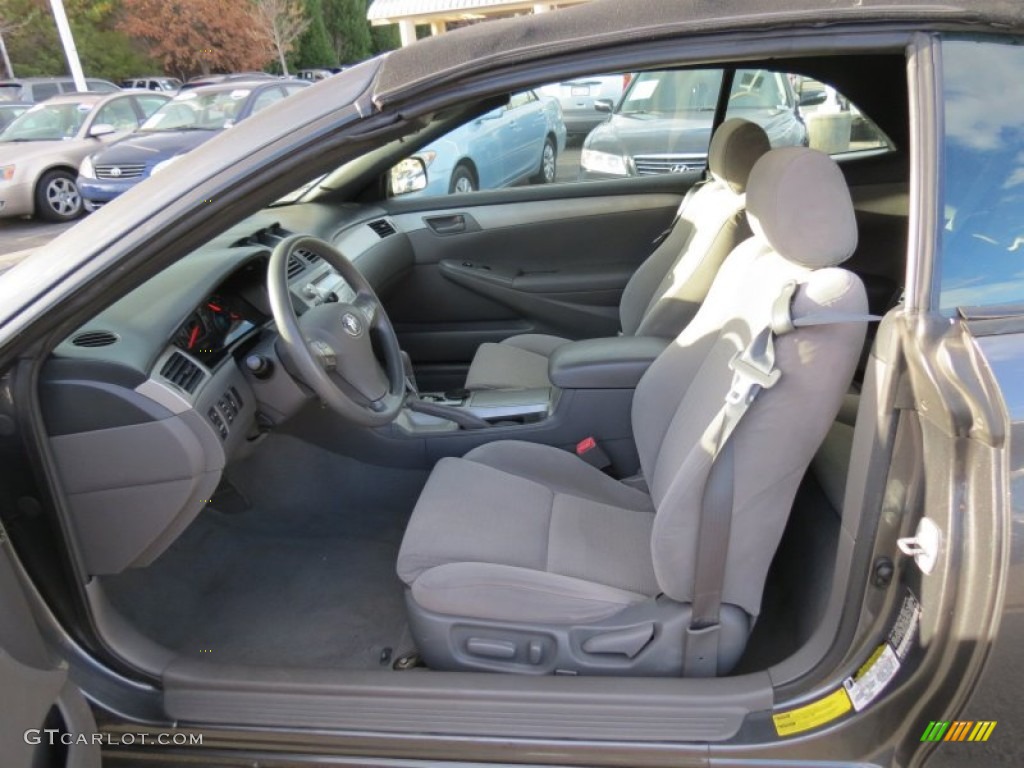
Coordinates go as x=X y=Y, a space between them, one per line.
x=665 y=292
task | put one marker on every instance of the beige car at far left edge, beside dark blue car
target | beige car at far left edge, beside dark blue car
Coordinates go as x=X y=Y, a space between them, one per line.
x=41 y=150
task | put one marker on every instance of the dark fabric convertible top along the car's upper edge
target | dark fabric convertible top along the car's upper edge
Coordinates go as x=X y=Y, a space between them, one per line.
x=498 y=44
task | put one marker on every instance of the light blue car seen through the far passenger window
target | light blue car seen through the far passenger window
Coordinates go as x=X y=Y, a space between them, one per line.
x=508 y=146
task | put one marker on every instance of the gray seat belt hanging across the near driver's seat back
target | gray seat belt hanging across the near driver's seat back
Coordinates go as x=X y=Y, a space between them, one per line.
x=754 y=371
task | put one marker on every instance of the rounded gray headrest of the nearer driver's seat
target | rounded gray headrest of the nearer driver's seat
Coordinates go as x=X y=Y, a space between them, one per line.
x=798 y=202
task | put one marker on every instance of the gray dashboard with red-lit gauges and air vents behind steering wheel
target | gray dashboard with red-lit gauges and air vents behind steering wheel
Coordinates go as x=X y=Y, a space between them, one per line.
x=148 y=403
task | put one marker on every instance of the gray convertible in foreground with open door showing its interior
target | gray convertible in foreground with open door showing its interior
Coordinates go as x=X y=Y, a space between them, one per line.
x=241 y=528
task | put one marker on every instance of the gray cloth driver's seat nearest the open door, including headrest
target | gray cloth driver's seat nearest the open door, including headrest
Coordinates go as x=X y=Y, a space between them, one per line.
x=522 y=558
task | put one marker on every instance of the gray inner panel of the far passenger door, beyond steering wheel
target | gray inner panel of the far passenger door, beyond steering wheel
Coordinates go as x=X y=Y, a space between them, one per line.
x=484 y=273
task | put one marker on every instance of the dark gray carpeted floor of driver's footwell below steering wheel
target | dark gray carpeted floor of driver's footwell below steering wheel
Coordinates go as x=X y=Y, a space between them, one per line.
x=304 y=577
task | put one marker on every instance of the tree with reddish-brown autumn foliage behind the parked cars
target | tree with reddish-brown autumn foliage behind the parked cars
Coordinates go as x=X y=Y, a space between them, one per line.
x=191 y=36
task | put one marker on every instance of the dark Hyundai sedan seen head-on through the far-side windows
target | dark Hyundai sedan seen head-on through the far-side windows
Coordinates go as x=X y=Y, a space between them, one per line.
x=663 y=123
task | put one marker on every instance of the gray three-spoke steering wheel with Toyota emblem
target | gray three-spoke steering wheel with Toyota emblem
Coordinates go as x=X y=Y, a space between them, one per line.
x=330 y=347
